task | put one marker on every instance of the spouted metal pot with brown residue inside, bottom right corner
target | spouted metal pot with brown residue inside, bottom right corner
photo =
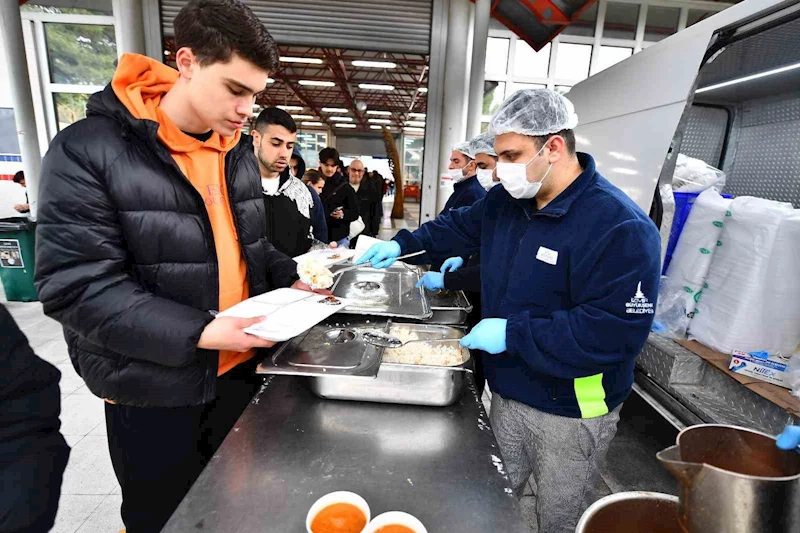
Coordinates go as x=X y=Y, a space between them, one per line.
x=734 y=480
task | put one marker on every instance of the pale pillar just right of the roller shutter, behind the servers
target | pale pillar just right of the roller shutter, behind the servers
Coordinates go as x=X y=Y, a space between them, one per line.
x=455 y=83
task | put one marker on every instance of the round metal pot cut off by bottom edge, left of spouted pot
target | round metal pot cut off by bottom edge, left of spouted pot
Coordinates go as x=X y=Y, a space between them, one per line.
x=632 y=512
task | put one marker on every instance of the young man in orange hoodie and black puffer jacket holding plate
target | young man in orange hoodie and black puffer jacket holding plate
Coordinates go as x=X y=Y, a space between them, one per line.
x=151 y=221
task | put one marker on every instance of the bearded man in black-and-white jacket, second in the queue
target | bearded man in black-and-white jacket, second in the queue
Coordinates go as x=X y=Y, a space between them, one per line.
x=288 y=203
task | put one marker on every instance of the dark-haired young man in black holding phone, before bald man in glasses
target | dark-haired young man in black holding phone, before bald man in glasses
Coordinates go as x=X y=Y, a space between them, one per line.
x=338 y=197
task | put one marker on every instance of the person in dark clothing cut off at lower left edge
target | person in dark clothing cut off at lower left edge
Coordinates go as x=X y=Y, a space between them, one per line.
x=33 y=453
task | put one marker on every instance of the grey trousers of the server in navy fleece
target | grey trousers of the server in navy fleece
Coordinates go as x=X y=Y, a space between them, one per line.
x=563 y=454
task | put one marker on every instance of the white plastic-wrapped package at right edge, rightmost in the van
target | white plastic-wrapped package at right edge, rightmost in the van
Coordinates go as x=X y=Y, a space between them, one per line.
x=751 y=298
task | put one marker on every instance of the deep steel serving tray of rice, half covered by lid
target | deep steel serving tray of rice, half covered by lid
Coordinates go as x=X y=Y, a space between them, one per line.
x=402 y=383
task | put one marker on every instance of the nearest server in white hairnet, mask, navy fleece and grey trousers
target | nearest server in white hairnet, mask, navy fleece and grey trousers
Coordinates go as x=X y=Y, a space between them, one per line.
x=569 y=278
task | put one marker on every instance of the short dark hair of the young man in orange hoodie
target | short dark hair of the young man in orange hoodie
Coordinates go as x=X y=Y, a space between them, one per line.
x=216 y=29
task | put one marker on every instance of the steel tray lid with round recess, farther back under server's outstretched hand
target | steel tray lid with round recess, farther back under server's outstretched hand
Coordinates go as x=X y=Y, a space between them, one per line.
x=388 y=292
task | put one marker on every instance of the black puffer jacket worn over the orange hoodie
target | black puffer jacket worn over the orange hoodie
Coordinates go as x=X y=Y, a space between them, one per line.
x=126 y=258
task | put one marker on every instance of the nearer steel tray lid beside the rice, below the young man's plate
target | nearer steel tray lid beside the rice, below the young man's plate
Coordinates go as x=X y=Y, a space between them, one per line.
x=333 y=348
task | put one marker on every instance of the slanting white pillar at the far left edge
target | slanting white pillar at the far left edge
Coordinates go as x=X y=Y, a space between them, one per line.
x=21 y=99
